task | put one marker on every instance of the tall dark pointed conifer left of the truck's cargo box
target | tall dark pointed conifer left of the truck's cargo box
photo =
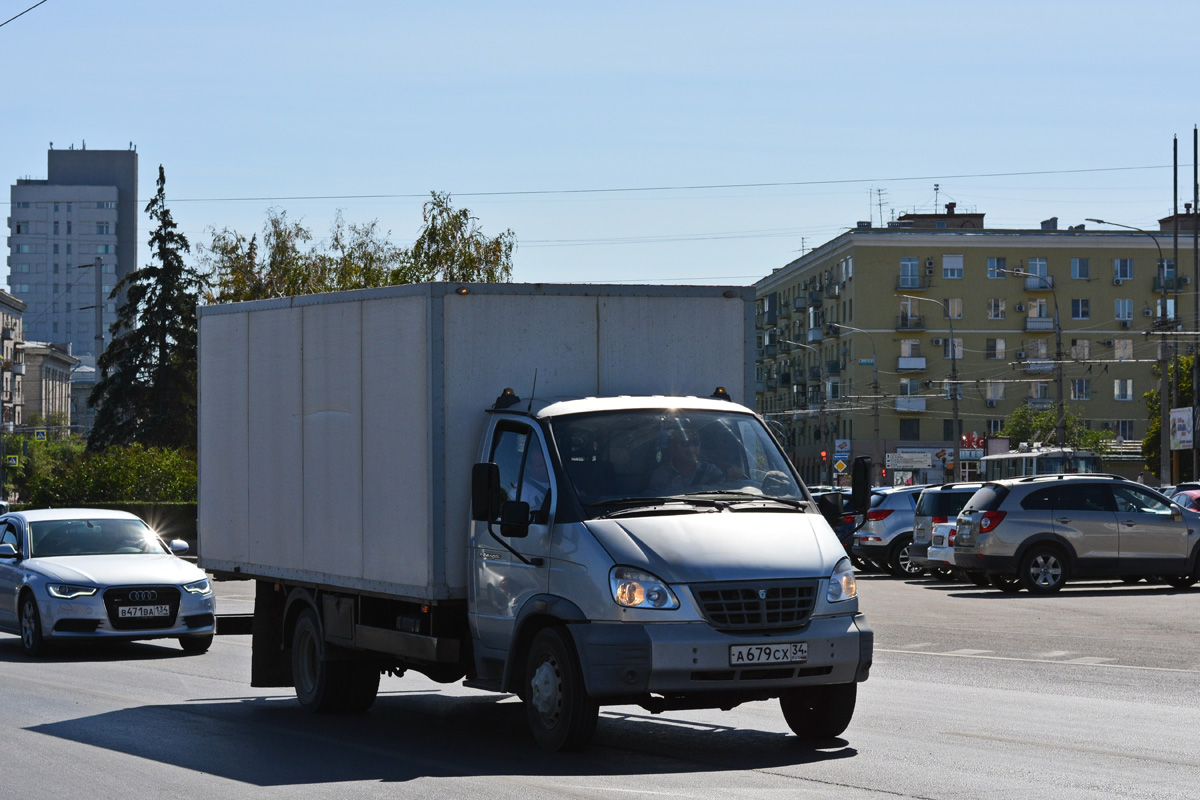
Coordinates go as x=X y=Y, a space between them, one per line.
x=147 y=387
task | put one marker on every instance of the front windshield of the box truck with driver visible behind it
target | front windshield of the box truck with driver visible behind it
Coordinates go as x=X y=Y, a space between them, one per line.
x=668 y=454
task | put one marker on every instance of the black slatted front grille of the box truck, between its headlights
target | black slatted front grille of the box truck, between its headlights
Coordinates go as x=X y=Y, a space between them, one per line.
x=763 y=606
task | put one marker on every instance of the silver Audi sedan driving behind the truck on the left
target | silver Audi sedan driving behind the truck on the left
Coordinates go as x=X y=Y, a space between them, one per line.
x=92 y=574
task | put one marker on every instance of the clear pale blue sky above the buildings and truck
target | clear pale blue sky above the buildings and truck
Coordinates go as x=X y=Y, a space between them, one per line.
x=739 y=134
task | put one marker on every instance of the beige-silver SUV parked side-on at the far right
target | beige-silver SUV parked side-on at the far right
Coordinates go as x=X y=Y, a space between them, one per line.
x=1041 y=532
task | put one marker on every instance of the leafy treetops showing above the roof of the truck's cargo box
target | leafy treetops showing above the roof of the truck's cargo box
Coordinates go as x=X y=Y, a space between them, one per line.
x=289 y=263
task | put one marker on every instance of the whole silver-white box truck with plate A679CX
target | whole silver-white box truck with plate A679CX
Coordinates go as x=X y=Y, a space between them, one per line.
x=533 y=489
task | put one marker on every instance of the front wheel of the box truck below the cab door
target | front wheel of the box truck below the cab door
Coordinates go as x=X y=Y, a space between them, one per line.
x=562 y=717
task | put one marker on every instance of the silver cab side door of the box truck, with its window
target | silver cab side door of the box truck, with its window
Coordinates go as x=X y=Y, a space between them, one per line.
x=501 y=581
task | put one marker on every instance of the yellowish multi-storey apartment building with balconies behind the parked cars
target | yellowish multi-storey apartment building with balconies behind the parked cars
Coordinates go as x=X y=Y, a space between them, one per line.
x=938 y=305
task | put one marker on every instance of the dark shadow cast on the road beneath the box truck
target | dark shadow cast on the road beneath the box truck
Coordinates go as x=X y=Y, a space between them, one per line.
x=272 y=742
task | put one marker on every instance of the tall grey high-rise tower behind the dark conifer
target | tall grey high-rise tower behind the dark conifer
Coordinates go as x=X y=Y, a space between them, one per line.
x=73 y=237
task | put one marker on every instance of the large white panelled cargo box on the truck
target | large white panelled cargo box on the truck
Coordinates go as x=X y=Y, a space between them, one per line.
x=338 y=431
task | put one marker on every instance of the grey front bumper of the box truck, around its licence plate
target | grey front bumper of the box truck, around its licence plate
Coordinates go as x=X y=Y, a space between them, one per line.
x=626 y=660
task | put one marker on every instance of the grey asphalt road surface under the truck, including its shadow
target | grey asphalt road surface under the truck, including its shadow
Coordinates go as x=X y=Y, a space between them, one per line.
x=1089 y=694
